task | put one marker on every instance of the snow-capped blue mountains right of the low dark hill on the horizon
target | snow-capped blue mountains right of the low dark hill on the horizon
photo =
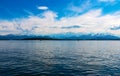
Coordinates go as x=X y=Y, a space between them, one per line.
x=79 y=36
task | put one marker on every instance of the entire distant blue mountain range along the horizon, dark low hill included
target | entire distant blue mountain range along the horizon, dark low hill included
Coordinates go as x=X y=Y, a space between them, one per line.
x=61 y=36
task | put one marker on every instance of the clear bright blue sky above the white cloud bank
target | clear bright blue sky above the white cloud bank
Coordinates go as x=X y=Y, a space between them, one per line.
x=10 y=9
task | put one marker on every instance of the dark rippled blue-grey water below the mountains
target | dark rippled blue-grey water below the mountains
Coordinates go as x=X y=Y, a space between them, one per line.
x=59 y=58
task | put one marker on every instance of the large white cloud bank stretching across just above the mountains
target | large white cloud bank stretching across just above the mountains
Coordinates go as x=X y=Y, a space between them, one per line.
x=47 y=23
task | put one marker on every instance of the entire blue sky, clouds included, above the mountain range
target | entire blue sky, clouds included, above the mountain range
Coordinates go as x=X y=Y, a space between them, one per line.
x=44 y=17
